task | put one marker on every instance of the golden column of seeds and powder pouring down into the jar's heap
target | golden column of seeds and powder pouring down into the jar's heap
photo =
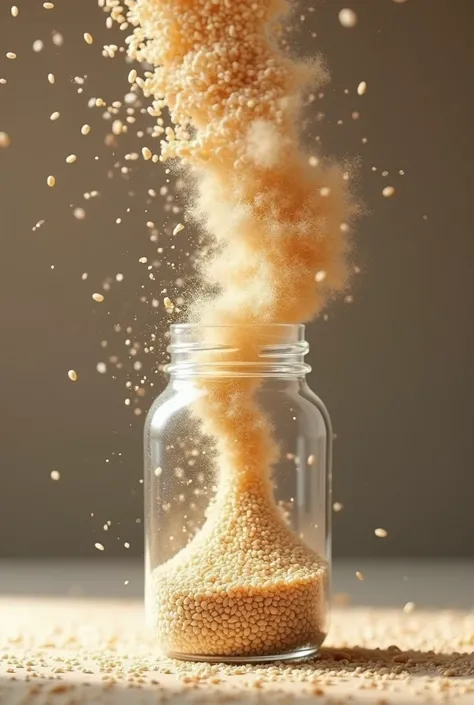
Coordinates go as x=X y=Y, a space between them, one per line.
x=278 y=222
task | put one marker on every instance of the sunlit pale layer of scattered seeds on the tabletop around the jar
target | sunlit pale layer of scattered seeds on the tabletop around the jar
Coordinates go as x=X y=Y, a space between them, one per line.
x=89 y=652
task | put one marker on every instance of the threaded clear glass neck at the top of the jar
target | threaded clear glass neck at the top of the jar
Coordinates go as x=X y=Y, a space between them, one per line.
x=268 y=350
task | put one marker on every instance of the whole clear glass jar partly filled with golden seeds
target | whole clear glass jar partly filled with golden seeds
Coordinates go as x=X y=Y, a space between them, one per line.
x=237 y=498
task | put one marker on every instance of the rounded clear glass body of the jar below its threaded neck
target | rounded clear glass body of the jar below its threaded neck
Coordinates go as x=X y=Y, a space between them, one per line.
x=205 y=600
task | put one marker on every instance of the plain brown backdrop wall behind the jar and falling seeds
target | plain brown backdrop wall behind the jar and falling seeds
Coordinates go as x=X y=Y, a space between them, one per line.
x=394 y=367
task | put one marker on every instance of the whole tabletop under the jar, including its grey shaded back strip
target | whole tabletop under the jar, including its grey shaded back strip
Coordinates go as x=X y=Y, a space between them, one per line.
x=72 y=633
